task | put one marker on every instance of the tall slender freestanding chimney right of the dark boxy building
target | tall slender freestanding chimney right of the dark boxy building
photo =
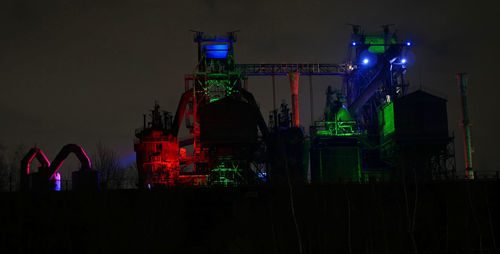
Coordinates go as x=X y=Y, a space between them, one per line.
x=462 y=79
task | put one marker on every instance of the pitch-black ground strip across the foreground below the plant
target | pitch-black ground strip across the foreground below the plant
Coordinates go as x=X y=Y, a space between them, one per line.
x=446 y=217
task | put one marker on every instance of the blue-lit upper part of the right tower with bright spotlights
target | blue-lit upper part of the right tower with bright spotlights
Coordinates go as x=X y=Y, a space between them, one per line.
x=378 y=64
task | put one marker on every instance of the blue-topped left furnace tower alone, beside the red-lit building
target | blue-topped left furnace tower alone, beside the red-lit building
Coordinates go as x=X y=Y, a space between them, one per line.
x=215 y=100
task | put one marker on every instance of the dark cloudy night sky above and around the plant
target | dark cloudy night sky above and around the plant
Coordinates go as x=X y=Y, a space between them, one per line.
x=85 y=71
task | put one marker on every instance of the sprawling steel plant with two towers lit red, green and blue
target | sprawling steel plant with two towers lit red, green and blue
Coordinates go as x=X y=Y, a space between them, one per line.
x=371 y=129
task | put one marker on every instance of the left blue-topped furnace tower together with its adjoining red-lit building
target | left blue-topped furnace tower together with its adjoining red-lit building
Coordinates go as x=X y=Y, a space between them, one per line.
x=223 y=120
